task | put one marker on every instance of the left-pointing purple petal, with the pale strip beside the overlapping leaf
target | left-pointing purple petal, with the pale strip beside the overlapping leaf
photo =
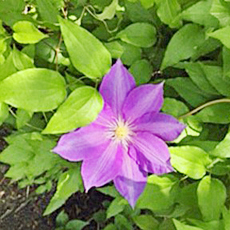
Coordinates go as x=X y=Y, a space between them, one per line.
x=86 y=142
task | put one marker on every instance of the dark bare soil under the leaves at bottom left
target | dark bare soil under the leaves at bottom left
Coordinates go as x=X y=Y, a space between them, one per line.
x=21 y=210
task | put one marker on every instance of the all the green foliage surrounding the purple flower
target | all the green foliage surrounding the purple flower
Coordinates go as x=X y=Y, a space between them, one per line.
x=53 y=54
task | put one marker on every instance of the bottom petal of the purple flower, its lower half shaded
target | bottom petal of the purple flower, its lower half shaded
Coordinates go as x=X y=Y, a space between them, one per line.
x=130 y=181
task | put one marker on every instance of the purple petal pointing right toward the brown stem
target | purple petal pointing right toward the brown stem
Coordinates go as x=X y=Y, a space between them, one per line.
x=162 y=125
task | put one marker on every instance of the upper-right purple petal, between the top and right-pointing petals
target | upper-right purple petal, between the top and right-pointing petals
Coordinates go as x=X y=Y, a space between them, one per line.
x=143 y=99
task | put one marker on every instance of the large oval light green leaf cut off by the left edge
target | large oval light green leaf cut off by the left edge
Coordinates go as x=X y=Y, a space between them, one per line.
x=33 y=90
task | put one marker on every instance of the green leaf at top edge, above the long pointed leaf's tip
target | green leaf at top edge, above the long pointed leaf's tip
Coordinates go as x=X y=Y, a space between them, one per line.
x=47 y=10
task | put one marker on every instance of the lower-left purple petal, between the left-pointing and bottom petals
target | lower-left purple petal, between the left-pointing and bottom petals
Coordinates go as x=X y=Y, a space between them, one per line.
x=99 y=171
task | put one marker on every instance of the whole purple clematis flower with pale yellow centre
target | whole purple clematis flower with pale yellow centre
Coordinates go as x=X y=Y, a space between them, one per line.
x=127 y=140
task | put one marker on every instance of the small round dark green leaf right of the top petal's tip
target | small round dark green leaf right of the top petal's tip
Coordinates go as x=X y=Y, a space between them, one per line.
x=141 y=71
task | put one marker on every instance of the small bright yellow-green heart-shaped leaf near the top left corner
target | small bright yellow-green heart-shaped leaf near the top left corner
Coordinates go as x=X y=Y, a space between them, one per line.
x=26 y=33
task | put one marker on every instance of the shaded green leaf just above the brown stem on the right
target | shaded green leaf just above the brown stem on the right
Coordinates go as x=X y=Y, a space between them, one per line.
x=189 y=91
